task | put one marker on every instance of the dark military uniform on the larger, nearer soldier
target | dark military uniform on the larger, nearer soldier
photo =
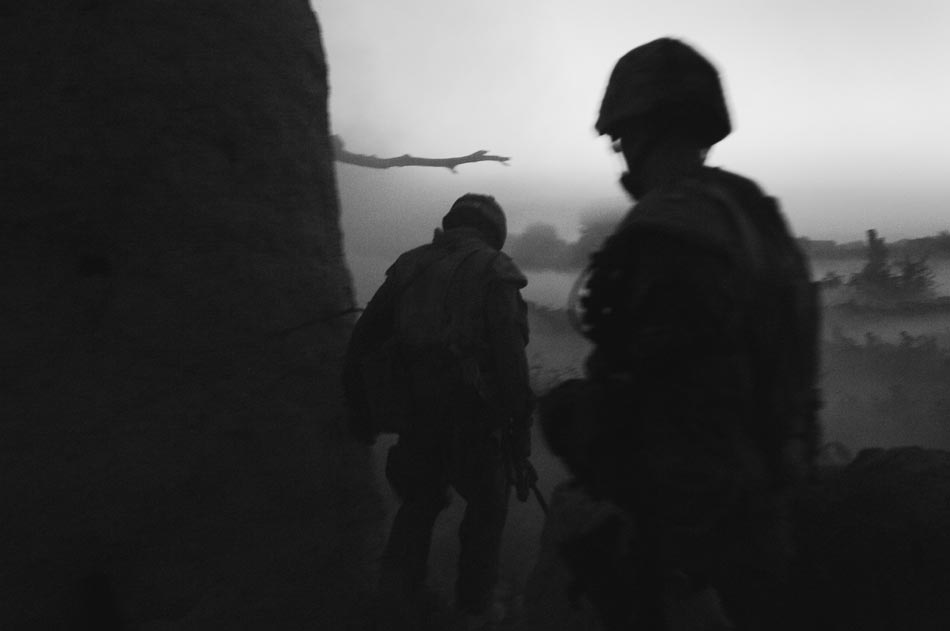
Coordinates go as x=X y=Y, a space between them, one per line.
x=703 y=318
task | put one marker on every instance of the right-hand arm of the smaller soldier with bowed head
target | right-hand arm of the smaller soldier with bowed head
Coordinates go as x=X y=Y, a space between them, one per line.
x=507 y=324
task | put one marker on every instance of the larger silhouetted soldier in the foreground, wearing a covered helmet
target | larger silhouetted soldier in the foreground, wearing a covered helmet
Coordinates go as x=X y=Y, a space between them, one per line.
x=704 y=323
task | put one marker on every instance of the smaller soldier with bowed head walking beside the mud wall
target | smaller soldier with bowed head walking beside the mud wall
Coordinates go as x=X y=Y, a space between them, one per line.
x=454 y=312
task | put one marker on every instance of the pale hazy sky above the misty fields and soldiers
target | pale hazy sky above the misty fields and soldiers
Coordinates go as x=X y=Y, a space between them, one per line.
x=839 y=107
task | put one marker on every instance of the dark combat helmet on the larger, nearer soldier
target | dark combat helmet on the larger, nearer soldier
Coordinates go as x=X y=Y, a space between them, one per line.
x=667 y=79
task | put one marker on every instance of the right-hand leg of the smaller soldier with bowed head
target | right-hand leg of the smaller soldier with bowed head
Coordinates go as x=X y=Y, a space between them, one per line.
x=484 y=484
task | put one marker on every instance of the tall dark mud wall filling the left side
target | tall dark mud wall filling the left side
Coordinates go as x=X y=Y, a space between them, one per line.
x=172 y=452
